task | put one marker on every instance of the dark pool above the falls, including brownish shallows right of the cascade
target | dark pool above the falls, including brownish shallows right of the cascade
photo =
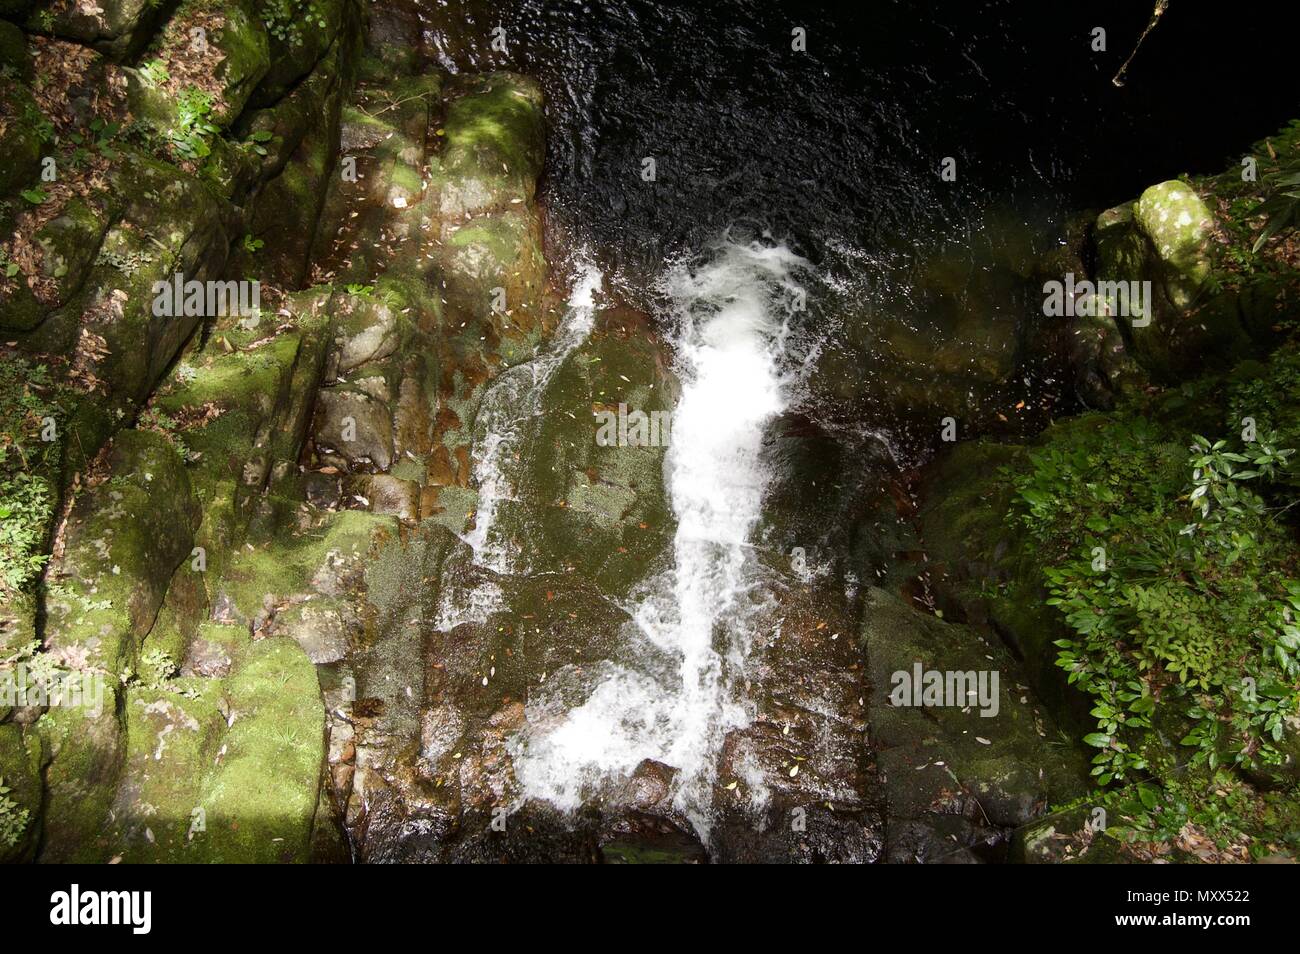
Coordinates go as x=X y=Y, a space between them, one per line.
x=838 y=151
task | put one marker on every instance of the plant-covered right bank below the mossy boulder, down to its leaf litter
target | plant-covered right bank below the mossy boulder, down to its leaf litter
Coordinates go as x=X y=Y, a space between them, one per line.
x=1172 y=558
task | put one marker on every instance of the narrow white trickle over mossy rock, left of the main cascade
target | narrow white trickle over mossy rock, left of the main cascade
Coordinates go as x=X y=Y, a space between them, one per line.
x=508 y=407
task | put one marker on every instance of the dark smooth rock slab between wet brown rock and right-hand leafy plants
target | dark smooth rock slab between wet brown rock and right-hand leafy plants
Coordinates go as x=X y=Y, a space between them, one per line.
x=963 y=749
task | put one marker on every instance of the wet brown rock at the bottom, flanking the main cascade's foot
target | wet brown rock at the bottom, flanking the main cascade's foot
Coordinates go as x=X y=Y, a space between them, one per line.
x=435 y=774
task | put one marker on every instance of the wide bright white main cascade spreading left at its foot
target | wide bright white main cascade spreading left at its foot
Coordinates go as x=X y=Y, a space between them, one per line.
x=733 y=318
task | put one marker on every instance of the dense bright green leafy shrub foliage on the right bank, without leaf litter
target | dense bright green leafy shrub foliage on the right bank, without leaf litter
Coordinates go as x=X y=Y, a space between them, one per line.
x=1175 y=584
